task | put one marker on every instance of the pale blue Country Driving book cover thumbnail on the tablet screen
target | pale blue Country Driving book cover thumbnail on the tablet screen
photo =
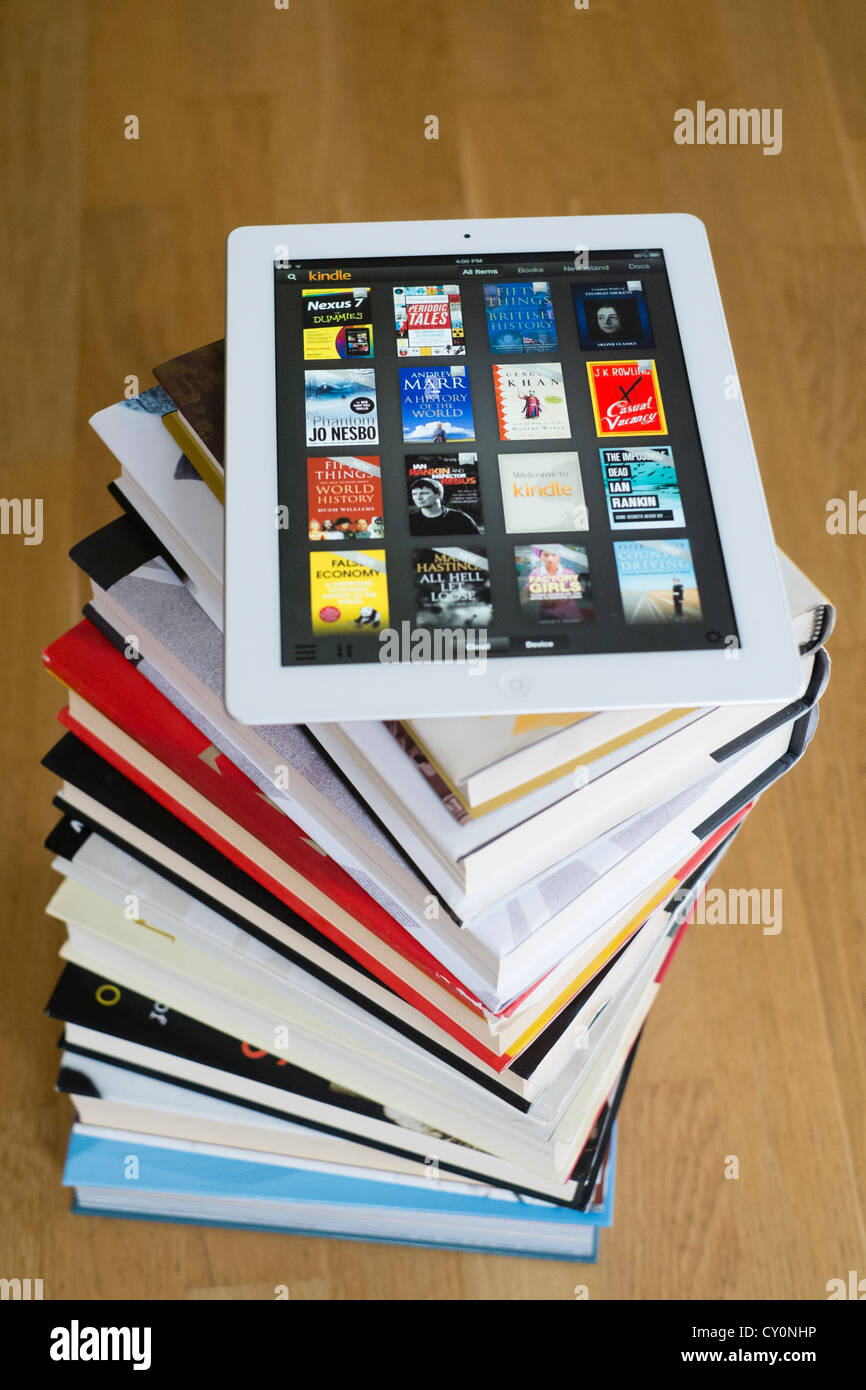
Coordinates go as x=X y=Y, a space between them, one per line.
x=658 y=582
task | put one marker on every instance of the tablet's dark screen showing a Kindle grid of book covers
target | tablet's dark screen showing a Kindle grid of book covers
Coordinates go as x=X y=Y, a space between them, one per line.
x=490 y=455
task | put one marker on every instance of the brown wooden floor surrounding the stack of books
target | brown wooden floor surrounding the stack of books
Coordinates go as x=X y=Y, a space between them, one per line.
x=113 y=259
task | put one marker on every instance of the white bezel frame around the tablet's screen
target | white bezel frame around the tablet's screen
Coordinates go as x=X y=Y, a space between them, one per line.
x=261 y=690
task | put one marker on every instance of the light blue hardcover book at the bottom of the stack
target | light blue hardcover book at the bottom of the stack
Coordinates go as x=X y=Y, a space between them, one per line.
x=141 y=1175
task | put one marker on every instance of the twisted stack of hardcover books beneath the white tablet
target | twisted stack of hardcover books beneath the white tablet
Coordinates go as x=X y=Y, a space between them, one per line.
x=382 y=982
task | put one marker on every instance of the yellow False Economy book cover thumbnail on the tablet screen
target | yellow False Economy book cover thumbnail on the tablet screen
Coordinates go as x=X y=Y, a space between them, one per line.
x=348 y=591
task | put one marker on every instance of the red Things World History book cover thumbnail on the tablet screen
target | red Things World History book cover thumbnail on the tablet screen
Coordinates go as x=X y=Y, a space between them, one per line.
x=345 y=498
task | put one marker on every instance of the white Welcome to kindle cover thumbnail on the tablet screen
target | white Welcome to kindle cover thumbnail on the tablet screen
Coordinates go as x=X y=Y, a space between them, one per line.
x=543 y=493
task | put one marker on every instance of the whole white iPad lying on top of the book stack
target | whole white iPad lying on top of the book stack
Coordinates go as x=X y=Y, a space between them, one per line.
x=480 y=468
